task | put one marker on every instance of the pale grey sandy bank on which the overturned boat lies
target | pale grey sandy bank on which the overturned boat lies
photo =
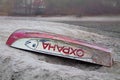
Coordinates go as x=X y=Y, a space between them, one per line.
x=22 y=65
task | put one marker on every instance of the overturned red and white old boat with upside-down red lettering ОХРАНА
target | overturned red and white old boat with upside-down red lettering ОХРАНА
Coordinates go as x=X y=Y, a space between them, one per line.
x=59 y=45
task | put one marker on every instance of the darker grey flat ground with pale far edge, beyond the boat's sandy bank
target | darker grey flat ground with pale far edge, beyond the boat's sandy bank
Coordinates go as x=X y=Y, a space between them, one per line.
x=103 y=25
